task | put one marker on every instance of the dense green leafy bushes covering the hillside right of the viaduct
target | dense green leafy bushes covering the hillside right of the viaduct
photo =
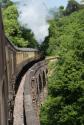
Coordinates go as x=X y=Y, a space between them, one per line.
x=65 y=103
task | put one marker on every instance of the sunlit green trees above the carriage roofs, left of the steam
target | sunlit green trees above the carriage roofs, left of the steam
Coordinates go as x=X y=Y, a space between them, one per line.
x=18 y=35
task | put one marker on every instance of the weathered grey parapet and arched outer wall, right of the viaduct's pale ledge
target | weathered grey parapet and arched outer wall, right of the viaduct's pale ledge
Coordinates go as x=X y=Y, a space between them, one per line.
x=35 y=91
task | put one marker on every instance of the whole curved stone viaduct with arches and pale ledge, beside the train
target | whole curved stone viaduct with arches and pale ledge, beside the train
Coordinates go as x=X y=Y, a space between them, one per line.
x=31 y=94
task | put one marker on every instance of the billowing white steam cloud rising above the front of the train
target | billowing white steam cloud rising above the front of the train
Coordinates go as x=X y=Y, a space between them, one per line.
x=33 y=15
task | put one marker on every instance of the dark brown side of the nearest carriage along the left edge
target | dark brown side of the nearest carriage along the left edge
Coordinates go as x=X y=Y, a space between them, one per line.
x=3 y=78
